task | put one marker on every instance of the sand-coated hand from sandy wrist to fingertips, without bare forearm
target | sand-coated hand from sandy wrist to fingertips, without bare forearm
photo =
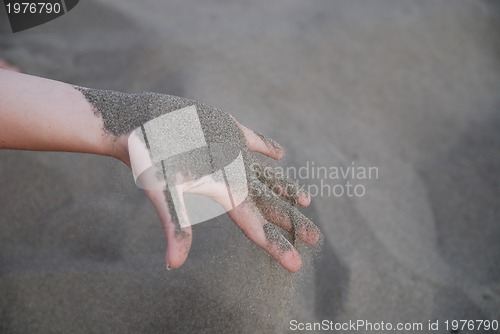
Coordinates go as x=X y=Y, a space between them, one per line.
x=271 y=200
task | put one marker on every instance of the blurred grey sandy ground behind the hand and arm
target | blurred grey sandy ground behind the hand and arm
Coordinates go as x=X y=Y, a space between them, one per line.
x=410 y=87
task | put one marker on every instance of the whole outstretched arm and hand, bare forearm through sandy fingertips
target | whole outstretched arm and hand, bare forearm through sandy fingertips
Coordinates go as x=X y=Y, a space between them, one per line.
x=46 y=115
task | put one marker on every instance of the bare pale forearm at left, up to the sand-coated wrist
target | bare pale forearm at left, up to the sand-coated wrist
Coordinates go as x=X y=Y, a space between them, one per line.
x=46 y=115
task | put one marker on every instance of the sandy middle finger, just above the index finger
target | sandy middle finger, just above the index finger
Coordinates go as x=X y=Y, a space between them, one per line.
x=286 y=216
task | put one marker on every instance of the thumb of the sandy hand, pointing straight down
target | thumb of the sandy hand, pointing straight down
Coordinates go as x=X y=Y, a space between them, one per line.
x=178 y=238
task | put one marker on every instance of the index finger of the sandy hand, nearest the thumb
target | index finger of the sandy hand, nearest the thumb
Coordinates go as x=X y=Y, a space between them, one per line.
x=248 y=218
